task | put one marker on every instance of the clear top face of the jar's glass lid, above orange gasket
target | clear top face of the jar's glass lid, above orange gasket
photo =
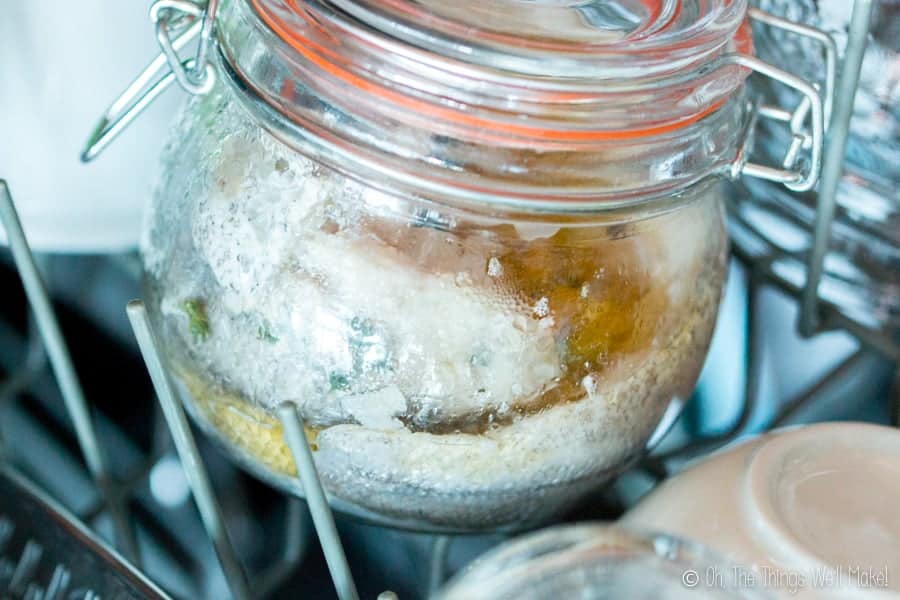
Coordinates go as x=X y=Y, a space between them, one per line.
x=593 y=39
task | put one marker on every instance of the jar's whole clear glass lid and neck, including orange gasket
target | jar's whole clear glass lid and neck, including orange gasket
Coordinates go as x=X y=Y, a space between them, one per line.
x=412 y=88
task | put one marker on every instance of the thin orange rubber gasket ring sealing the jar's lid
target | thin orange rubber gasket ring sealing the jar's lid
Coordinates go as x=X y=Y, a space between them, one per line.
x=315 y=54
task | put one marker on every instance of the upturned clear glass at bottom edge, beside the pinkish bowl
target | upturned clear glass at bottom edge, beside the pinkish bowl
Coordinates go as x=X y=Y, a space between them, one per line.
x=598 y=562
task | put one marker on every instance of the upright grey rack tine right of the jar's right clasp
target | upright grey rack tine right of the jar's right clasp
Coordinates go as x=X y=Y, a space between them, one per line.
x=833 y=162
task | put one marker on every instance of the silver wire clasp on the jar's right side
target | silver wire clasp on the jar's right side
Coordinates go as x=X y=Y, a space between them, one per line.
x=812 y=108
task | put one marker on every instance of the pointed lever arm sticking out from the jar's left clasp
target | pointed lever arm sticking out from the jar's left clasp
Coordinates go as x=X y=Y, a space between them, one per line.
x=137 y=96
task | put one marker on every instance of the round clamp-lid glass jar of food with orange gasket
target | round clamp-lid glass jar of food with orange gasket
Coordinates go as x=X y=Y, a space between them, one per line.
x=479 y=245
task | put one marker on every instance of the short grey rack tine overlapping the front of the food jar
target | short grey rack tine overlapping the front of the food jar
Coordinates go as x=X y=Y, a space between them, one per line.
x=322 y=517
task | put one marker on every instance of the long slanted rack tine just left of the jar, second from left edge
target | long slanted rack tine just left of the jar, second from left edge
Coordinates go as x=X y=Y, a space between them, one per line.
x=191 y=462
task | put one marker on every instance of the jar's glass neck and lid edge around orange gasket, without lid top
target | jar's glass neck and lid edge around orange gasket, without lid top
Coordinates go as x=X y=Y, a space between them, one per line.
x=598 y=150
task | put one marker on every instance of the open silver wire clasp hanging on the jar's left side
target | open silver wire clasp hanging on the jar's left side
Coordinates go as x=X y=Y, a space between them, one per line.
x=177 y=22
